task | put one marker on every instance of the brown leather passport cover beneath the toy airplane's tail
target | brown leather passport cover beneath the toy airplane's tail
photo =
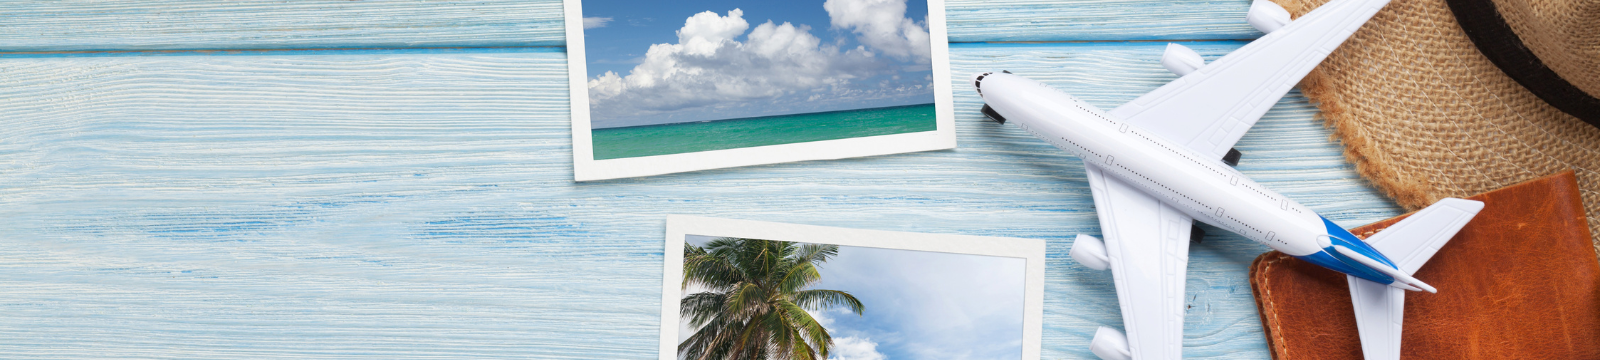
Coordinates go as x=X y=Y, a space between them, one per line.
x=1518 y=282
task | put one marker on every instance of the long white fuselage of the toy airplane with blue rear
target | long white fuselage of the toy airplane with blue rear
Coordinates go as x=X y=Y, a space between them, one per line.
x=1202 y=188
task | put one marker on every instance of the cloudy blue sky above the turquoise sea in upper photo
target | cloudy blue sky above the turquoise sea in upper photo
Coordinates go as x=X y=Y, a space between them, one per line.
x=814 y=57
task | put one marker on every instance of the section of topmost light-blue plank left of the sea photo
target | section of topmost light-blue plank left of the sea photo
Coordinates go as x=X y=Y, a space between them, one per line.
x=258 y=25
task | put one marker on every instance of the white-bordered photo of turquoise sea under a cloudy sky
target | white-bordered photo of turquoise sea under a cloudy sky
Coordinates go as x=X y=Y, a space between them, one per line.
x=666 y=87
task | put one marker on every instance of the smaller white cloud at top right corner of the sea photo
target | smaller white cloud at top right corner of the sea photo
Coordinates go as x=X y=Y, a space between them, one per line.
x=882 y=25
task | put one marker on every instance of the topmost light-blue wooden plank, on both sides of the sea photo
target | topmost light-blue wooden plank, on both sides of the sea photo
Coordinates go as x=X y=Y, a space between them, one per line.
x=270 y=25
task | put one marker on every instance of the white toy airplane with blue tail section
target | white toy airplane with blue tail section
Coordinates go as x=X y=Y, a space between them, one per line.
x=1164 y=161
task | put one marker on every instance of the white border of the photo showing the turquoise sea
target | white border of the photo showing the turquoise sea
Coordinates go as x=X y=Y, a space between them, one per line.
x=586 y=169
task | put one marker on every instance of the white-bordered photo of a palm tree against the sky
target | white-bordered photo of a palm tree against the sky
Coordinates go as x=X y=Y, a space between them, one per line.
x=764 y=290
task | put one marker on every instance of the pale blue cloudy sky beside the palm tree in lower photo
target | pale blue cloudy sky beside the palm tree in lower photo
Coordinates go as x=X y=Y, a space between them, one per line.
x=922 y=305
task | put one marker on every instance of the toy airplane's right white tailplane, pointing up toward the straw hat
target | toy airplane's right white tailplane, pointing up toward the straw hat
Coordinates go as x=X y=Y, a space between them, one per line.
x=1415 y=239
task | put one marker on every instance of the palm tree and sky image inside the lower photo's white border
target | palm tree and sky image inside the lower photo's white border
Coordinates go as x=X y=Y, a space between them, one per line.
x=750 y=298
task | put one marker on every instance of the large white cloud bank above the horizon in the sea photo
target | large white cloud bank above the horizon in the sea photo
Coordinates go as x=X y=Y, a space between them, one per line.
x=708 y=66
